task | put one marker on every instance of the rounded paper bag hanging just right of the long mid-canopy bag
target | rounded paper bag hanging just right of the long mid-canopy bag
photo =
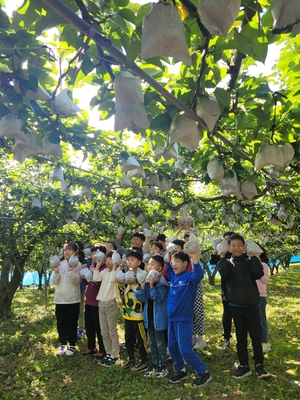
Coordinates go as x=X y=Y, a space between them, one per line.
x=184 y=129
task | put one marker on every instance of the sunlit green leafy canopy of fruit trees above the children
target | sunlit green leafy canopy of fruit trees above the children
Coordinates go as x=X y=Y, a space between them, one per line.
x=47 y=46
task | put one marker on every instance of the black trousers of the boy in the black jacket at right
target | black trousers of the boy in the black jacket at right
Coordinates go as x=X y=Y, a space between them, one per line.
x=247 y=320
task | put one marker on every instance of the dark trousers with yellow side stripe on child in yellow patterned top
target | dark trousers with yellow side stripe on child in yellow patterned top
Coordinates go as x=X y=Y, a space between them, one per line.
x=135 y=331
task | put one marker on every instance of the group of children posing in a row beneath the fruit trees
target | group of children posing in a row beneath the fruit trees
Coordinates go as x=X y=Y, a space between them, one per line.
x=158 y=305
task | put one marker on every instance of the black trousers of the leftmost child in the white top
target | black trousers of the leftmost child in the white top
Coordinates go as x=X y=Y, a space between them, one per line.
x=66 y=319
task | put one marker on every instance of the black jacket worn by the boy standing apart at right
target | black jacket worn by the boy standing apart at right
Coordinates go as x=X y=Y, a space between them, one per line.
x=240 y=274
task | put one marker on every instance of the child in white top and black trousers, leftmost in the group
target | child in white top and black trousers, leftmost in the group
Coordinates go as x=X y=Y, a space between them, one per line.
x=67 y=300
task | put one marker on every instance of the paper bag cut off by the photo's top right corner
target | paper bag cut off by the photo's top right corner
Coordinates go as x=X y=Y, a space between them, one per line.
x=286 y=15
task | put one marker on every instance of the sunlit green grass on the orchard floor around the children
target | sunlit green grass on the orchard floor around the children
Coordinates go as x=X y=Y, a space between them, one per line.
x=29 y=368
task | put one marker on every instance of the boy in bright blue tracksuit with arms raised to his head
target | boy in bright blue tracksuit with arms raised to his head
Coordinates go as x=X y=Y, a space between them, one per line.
x=182 y=294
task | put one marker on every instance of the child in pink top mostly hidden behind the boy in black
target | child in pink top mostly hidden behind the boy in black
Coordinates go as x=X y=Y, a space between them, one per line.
x=262 y=288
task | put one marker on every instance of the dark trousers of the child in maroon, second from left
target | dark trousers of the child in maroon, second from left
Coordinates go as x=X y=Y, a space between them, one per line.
x=92 y=328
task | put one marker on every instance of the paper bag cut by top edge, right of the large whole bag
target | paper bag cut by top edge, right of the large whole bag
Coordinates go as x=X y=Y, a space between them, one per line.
x=218 y=15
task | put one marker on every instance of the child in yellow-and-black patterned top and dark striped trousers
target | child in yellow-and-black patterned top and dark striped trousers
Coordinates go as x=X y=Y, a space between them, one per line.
x=132 y=310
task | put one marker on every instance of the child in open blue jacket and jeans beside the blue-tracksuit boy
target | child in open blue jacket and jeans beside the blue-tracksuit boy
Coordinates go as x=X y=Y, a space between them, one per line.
x=154 y=295
